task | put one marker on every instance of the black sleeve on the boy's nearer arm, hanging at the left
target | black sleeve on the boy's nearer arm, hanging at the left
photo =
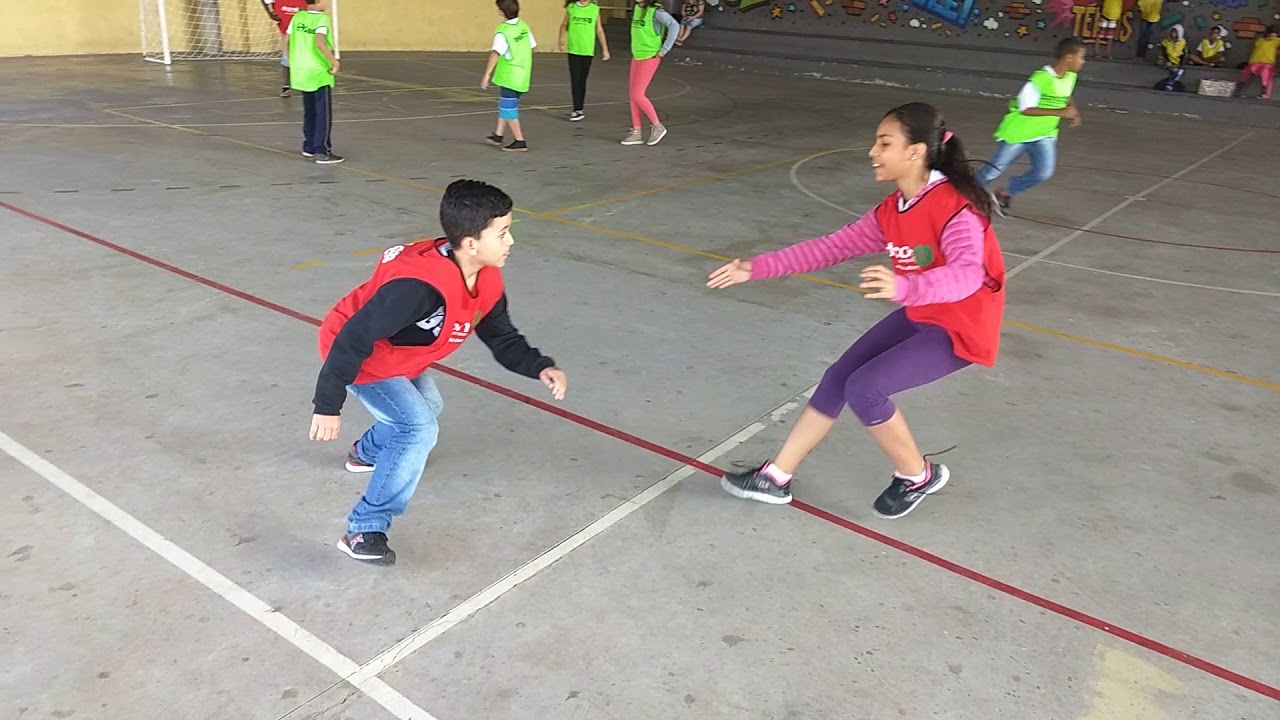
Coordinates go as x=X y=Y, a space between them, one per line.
x=394 y=308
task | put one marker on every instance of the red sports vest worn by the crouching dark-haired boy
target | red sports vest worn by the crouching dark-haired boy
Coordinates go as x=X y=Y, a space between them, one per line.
x=424 y=261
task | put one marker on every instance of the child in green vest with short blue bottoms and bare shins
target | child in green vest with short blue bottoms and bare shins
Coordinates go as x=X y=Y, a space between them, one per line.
x=511 y=65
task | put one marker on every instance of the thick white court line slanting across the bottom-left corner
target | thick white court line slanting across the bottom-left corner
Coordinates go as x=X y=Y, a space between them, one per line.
x=340 y=664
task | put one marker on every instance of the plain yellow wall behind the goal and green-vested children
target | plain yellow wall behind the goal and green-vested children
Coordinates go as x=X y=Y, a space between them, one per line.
x=33 y=28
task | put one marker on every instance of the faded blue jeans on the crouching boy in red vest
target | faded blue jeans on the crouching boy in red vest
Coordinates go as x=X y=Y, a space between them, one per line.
x=399 y=444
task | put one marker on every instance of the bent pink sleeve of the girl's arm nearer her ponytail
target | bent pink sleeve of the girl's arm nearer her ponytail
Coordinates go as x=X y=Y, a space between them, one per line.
x=963 y=274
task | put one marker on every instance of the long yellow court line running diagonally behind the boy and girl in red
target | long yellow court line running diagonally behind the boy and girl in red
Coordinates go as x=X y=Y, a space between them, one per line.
x=1082 y=340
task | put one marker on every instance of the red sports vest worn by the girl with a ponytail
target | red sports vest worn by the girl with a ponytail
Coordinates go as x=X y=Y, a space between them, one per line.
x=913 y=241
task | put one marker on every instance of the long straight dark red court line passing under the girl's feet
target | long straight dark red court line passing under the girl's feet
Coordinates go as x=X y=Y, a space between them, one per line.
x=956 y=568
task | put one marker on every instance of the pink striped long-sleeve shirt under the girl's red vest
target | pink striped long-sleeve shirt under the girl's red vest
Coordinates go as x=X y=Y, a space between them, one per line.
x=961 y=277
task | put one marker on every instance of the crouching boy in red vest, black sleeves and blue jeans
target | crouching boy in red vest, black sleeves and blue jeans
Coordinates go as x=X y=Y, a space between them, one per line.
x=422 y=303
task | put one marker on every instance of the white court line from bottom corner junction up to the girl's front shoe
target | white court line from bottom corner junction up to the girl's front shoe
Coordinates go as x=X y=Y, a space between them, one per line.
x=468 y=608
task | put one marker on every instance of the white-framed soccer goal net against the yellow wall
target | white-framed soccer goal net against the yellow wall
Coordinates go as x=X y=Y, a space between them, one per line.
x=213 y=30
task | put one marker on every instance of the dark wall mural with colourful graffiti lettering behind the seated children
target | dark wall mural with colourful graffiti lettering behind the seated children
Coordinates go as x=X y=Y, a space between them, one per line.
x=980 y=22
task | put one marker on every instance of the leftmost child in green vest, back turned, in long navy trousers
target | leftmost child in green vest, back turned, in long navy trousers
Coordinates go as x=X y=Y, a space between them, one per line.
x=312 y=69
